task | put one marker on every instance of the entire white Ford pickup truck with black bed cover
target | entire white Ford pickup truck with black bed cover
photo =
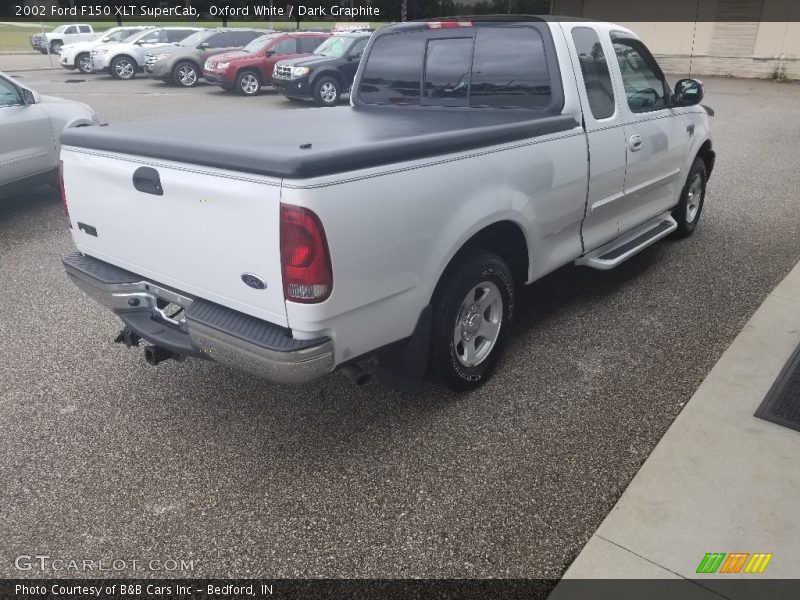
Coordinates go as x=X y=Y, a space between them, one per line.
x=477 y=155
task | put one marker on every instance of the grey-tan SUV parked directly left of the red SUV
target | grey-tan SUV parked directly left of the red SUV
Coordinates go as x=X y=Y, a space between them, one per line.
x=181 y=64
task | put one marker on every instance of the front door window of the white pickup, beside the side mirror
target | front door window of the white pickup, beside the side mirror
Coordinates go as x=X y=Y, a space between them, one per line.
x=645 y=86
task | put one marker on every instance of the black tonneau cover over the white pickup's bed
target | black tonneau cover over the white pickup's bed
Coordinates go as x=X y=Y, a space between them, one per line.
x=317 y=141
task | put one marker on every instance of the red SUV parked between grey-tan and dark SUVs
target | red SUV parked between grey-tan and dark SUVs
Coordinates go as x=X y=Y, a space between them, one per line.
x=247 y=70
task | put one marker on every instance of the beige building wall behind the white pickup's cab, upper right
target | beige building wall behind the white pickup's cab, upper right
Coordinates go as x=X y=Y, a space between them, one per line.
x=745 y=38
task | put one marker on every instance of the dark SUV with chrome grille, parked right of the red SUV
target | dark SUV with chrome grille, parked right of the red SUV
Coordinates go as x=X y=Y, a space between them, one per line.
x=327 y=74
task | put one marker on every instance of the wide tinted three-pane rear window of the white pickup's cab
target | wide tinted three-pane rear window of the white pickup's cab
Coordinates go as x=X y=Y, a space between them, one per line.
x=498 y=67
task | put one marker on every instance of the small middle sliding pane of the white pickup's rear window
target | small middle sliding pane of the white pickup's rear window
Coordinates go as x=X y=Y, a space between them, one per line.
x=446 y=79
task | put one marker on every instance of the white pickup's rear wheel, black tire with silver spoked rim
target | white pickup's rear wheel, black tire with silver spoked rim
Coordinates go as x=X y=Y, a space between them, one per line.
x=454 y=318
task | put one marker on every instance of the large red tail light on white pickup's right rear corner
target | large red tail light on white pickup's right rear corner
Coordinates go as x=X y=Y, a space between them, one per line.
x=305 y=259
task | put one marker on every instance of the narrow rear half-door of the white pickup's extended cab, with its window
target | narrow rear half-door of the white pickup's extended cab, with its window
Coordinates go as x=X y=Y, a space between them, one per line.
x=605 y=132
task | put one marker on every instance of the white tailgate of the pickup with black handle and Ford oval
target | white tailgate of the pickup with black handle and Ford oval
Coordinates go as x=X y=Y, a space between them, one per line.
x=205 y=229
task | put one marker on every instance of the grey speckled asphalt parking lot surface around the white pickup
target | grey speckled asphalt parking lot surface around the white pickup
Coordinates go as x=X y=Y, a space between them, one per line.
x=105 y=457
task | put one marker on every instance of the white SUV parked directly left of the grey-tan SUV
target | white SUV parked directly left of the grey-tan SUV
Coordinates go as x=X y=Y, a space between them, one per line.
x=123 y=60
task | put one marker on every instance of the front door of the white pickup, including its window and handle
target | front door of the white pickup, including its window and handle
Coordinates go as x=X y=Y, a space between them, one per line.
x=655 y=135
